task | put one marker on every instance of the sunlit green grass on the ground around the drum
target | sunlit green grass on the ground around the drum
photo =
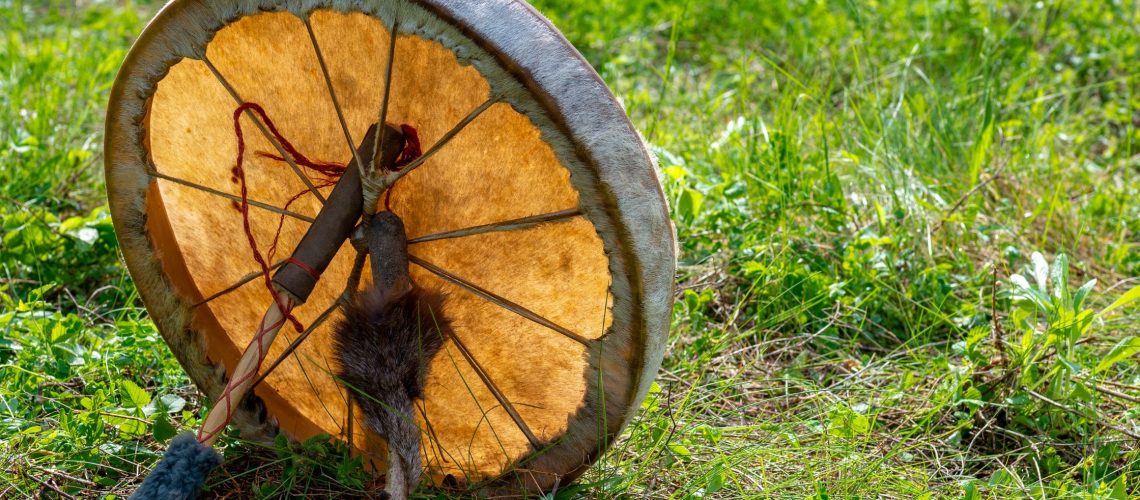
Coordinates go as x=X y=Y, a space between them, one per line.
x=854 y=186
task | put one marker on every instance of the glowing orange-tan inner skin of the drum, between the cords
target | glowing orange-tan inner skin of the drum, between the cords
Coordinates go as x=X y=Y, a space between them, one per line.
x=498 y=169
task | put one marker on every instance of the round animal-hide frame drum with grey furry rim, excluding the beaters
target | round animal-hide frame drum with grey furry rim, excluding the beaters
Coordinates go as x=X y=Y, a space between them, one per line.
x=525 y=129
